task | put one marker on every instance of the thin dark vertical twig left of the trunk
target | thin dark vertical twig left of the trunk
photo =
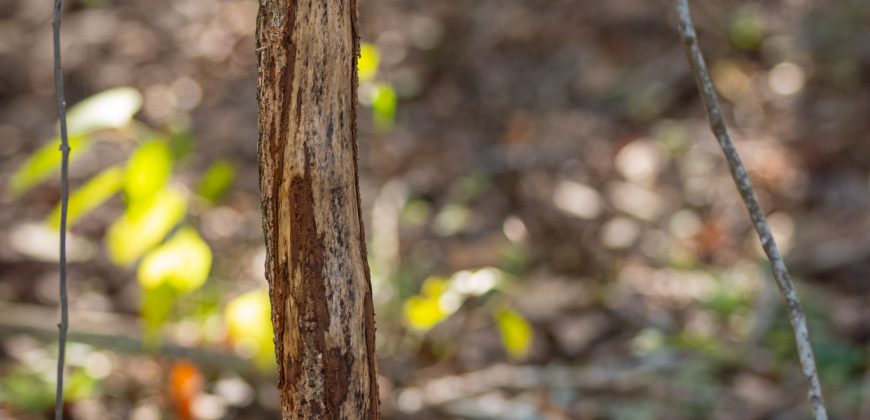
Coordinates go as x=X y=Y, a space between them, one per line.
x=64 y=202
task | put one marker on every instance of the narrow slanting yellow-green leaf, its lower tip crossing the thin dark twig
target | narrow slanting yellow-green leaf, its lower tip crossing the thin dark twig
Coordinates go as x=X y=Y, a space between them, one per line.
x=90 y=196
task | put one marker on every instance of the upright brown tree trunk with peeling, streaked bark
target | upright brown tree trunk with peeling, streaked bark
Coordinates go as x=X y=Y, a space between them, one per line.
x=316 y=264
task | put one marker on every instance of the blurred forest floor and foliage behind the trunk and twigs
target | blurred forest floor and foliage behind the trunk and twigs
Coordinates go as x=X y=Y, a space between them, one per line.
x=552 y=231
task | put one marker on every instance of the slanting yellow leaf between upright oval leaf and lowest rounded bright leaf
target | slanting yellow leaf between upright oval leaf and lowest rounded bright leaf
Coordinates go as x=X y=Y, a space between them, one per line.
x=144 y=226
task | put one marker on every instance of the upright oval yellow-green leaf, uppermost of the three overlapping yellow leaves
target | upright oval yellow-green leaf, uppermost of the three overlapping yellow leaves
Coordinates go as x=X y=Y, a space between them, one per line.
x=148 y=169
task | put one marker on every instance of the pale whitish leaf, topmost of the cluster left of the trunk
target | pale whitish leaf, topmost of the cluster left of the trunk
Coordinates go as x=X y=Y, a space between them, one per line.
x=111 y=108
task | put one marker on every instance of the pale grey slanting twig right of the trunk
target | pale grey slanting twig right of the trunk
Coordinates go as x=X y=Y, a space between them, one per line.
x=741 y=179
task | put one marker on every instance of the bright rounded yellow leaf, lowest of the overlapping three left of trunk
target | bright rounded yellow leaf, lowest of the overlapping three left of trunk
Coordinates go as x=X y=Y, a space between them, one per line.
x=183 y=262
